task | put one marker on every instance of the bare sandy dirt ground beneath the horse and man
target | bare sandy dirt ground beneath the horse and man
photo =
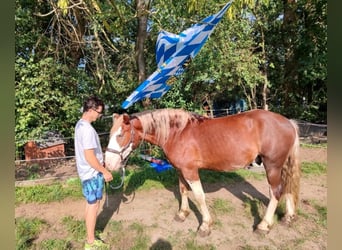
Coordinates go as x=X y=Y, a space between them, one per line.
x=233 y=230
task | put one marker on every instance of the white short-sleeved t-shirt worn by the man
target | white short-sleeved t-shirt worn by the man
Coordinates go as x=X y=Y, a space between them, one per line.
x=86 y=138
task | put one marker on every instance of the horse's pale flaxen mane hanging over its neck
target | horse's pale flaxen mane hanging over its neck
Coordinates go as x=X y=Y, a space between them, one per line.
x=161 y=121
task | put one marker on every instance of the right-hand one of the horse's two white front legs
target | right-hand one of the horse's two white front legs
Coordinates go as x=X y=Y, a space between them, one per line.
x=197 y=189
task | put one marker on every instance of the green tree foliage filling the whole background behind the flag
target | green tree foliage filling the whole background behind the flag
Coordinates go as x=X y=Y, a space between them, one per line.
x=246 y=49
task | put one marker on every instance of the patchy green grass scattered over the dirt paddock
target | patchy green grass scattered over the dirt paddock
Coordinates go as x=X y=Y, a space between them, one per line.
x=137 y=236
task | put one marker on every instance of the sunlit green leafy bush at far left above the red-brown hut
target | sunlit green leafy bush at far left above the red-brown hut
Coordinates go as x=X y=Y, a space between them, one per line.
x=44 y=98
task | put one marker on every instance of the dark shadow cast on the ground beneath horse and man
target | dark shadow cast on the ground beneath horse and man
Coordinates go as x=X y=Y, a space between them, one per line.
x=231 y=181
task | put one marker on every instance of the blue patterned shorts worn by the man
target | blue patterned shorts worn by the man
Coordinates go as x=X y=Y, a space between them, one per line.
x=92 y=189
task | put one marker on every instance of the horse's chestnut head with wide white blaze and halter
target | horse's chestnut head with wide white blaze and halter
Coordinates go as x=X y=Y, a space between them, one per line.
x=121 y=142
